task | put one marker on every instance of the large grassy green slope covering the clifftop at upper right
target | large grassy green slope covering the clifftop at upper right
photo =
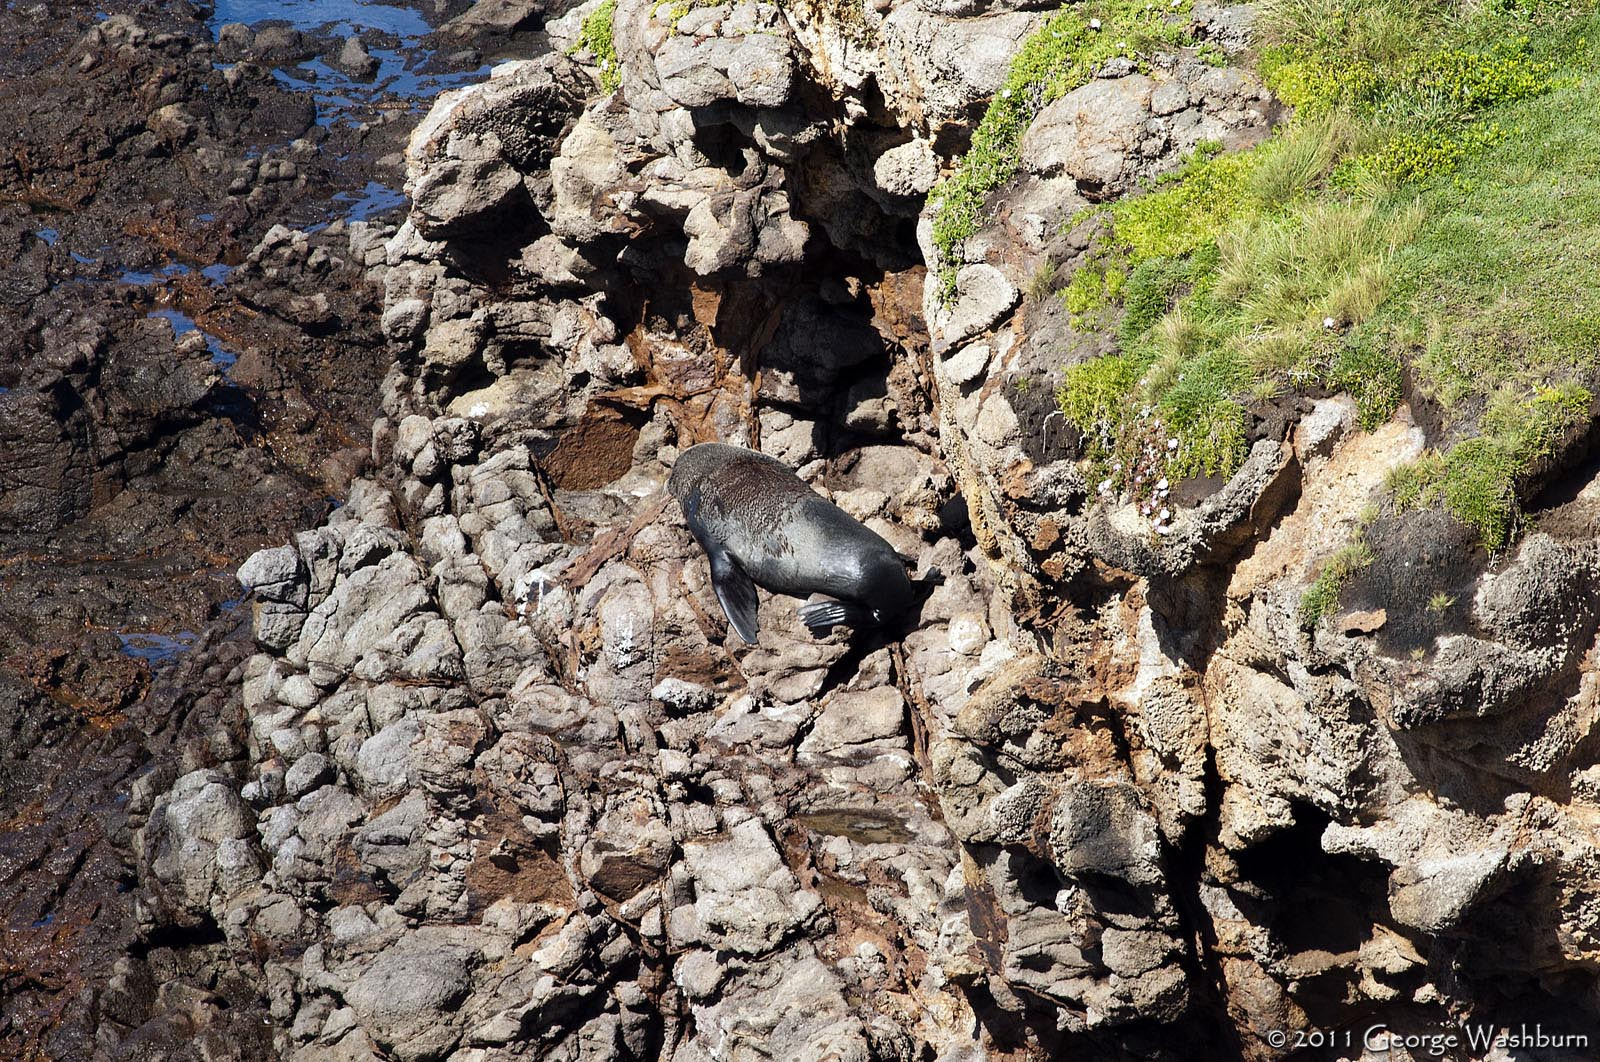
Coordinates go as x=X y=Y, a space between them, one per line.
x=1433 y=210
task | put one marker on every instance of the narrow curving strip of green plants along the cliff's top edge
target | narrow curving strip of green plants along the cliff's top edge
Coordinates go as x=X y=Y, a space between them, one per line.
x=1055 y=60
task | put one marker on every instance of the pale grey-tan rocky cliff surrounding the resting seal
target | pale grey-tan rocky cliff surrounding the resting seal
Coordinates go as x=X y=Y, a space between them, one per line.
x=497 y=780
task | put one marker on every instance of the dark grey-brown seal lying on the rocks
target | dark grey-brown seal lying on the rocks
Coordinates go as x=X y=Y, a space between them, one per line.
x=762 y=525
